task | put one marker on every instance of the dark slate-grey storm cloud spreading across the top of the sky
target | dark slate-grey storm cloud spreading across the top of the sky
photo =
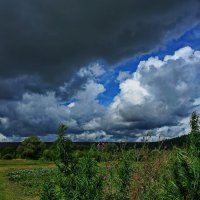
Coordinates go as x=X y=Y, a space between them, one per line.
x=53 y=38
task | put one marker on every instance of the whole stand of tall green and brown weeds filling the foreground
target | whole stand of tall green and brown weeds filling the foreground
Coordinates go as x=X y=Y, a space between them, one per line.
x=123 y=174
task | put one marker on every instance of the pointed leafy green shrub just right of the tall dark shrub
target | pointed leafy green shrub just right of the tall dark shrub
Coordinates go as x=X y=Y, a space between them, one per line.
x=87 y=179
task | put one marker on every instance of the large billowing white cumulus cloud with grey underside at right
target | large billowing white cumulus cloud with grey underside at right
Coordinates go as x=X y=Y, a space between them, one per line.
x=161 y=93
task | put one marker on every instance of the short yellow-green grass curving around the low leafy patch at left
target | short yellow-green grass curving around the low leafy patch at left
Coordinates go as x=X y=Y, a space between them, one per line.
x=10 y=190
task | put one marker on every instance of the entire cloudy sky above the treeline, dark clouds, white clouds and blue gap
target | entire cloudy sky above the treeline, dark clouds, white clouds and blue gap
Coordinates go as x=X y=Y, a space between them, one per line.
x=110 y=70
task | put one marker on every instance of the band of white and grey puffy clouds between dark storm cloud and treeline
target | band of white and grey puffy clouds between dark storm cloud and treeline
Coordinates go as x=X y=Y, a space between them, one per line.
x=159 y=96
